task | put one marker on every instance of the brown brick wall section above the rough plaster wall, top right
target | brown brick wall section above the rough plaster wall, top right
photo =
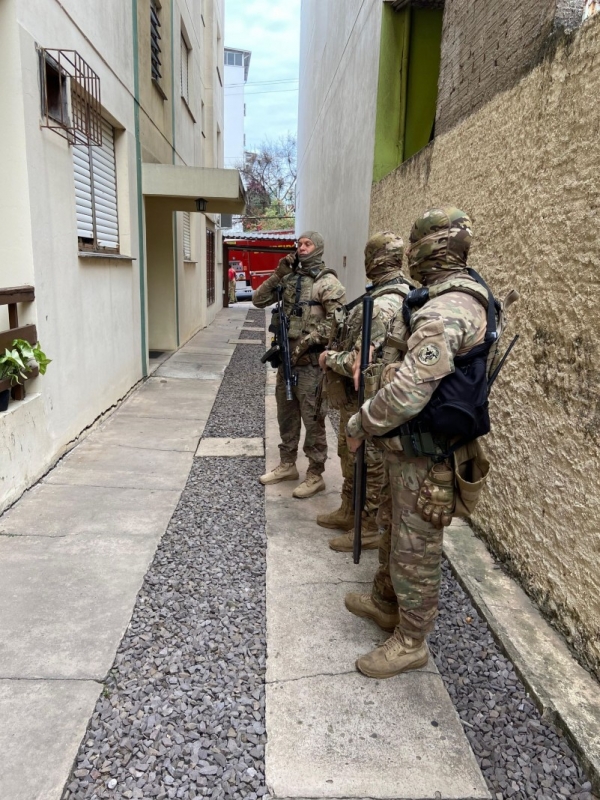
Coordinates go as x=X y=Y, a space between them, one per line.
x=486 y=47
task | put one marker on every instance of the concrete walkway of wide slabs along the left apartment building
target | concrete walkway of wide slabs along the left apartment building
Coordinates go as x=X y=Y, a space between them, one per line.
x=73 y=554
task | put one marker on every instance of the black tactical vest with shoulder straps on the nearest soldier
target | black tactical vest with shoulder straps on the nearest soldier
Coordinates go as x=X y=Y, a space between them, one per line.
x=459 y=406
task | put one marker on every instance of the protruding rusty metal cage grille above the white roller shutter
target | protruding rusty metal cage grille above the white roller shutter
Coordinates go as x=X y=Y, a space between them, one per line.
x=70 y=97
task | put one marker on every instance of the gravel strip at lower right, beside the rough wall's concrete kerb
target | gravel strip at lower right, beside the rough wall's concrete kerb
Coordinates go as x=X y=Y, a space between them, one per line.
x=521 y=755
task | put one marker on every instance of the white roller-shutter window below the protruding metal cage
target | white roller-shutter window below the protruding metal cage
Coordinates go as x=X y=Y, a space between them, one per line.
x=96 y=194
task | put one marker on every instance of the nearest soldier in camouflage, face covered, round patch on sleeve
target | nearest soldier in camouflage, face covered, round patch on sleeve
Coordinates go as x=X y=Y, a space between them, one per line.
x=420 y=490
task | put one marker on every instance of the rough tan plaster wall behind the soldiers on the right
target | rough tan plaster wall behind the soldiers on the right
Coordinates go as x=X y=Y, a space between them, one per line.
x=526 y=167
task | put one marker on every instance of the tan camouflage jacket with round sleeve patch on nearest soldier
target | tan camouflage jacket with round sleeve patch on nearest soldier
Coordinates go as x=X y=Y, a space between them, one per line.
x=448 y=325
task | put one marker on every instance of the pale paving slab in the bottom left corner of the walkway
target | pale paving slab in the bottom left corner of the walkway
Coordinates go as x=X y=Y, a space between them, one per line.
x=51 y=718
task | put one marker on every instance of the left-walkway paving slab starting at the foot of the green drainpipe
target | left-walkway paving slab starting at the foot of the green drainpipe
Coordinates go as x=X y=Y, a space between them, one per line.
x=172 y=399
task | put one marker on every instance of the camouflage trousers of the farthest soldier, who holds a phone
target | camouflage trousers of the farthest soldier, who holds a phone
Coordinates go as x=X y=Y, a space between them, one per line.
x=290 y=414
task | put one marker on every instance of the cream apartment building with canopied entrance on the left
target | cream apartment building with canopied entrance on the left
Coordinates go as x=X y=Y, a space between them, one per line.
x=111 y=157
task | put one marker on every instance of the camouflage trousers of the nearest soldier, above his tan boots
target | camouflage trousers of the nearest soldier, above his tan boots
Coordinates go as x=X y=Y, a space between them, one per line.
x=410 y=549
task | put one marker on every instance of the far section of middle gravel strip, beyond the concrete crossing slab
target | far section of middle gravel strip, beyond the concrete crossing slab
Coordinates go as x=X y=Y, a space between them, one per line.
x=239 y=409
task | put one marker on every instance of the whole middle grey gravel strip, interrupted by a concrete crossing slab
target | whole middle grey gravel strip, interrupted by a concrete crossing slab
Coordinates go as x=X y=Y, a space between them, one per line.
x=182 y=714
